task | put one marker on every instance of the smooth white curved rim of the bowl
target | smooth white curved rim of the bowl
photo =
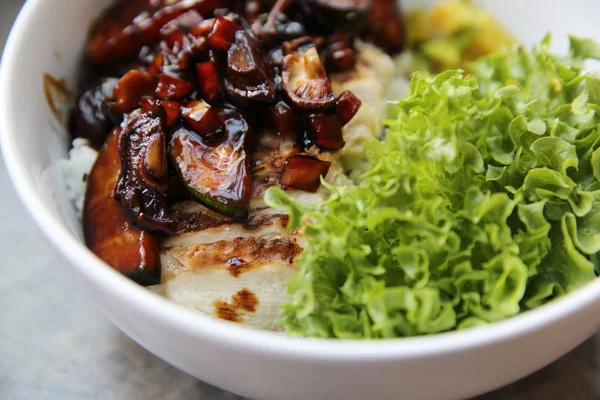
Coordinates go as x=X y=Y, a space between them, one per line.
x=235 y=335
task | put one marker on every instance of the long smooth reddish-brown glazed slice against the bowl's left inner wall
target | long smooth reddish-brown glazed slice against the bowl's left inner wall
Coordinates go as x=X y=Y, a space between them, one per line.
x=108 y=233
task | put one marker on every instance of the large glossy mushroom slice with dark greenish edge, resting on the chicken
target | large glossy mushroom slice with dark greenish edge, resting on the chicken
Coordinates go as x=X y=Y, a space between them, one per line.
x=217 y=174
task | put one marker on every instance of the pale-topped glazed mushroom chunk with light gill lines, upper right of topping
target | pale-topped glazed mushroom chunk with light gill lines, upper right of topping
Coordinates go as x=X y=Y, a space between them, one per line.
x=305 y=81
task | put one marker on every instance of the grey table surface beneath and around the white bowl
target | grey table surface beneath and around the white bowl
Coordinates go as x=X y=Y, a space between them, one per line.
x=55 y=344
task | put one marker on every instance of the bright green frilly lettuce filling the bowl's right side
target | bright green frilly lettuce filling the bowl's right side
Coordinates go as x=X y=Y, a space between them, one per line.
x=482 y=201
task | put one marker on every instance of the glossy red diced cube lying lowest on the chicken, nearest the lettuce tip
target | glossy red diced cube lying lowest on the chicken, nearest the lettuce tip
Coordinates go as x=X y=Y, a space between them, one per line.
x=304 y=172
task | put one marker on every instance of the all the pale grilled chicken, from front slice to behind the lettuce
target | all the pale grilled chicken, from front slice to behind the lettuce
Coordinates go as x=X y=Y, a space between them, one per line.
x=239 y=271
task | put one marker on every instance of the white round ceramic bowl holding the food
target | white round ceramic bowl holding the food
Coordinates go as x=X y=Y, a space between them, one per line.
x=256 y=364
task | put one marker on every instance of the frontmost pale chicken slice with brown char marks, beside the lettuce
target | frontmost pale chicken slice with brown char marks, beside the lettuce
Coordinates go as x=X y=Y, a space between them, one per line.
x=211 y=277
